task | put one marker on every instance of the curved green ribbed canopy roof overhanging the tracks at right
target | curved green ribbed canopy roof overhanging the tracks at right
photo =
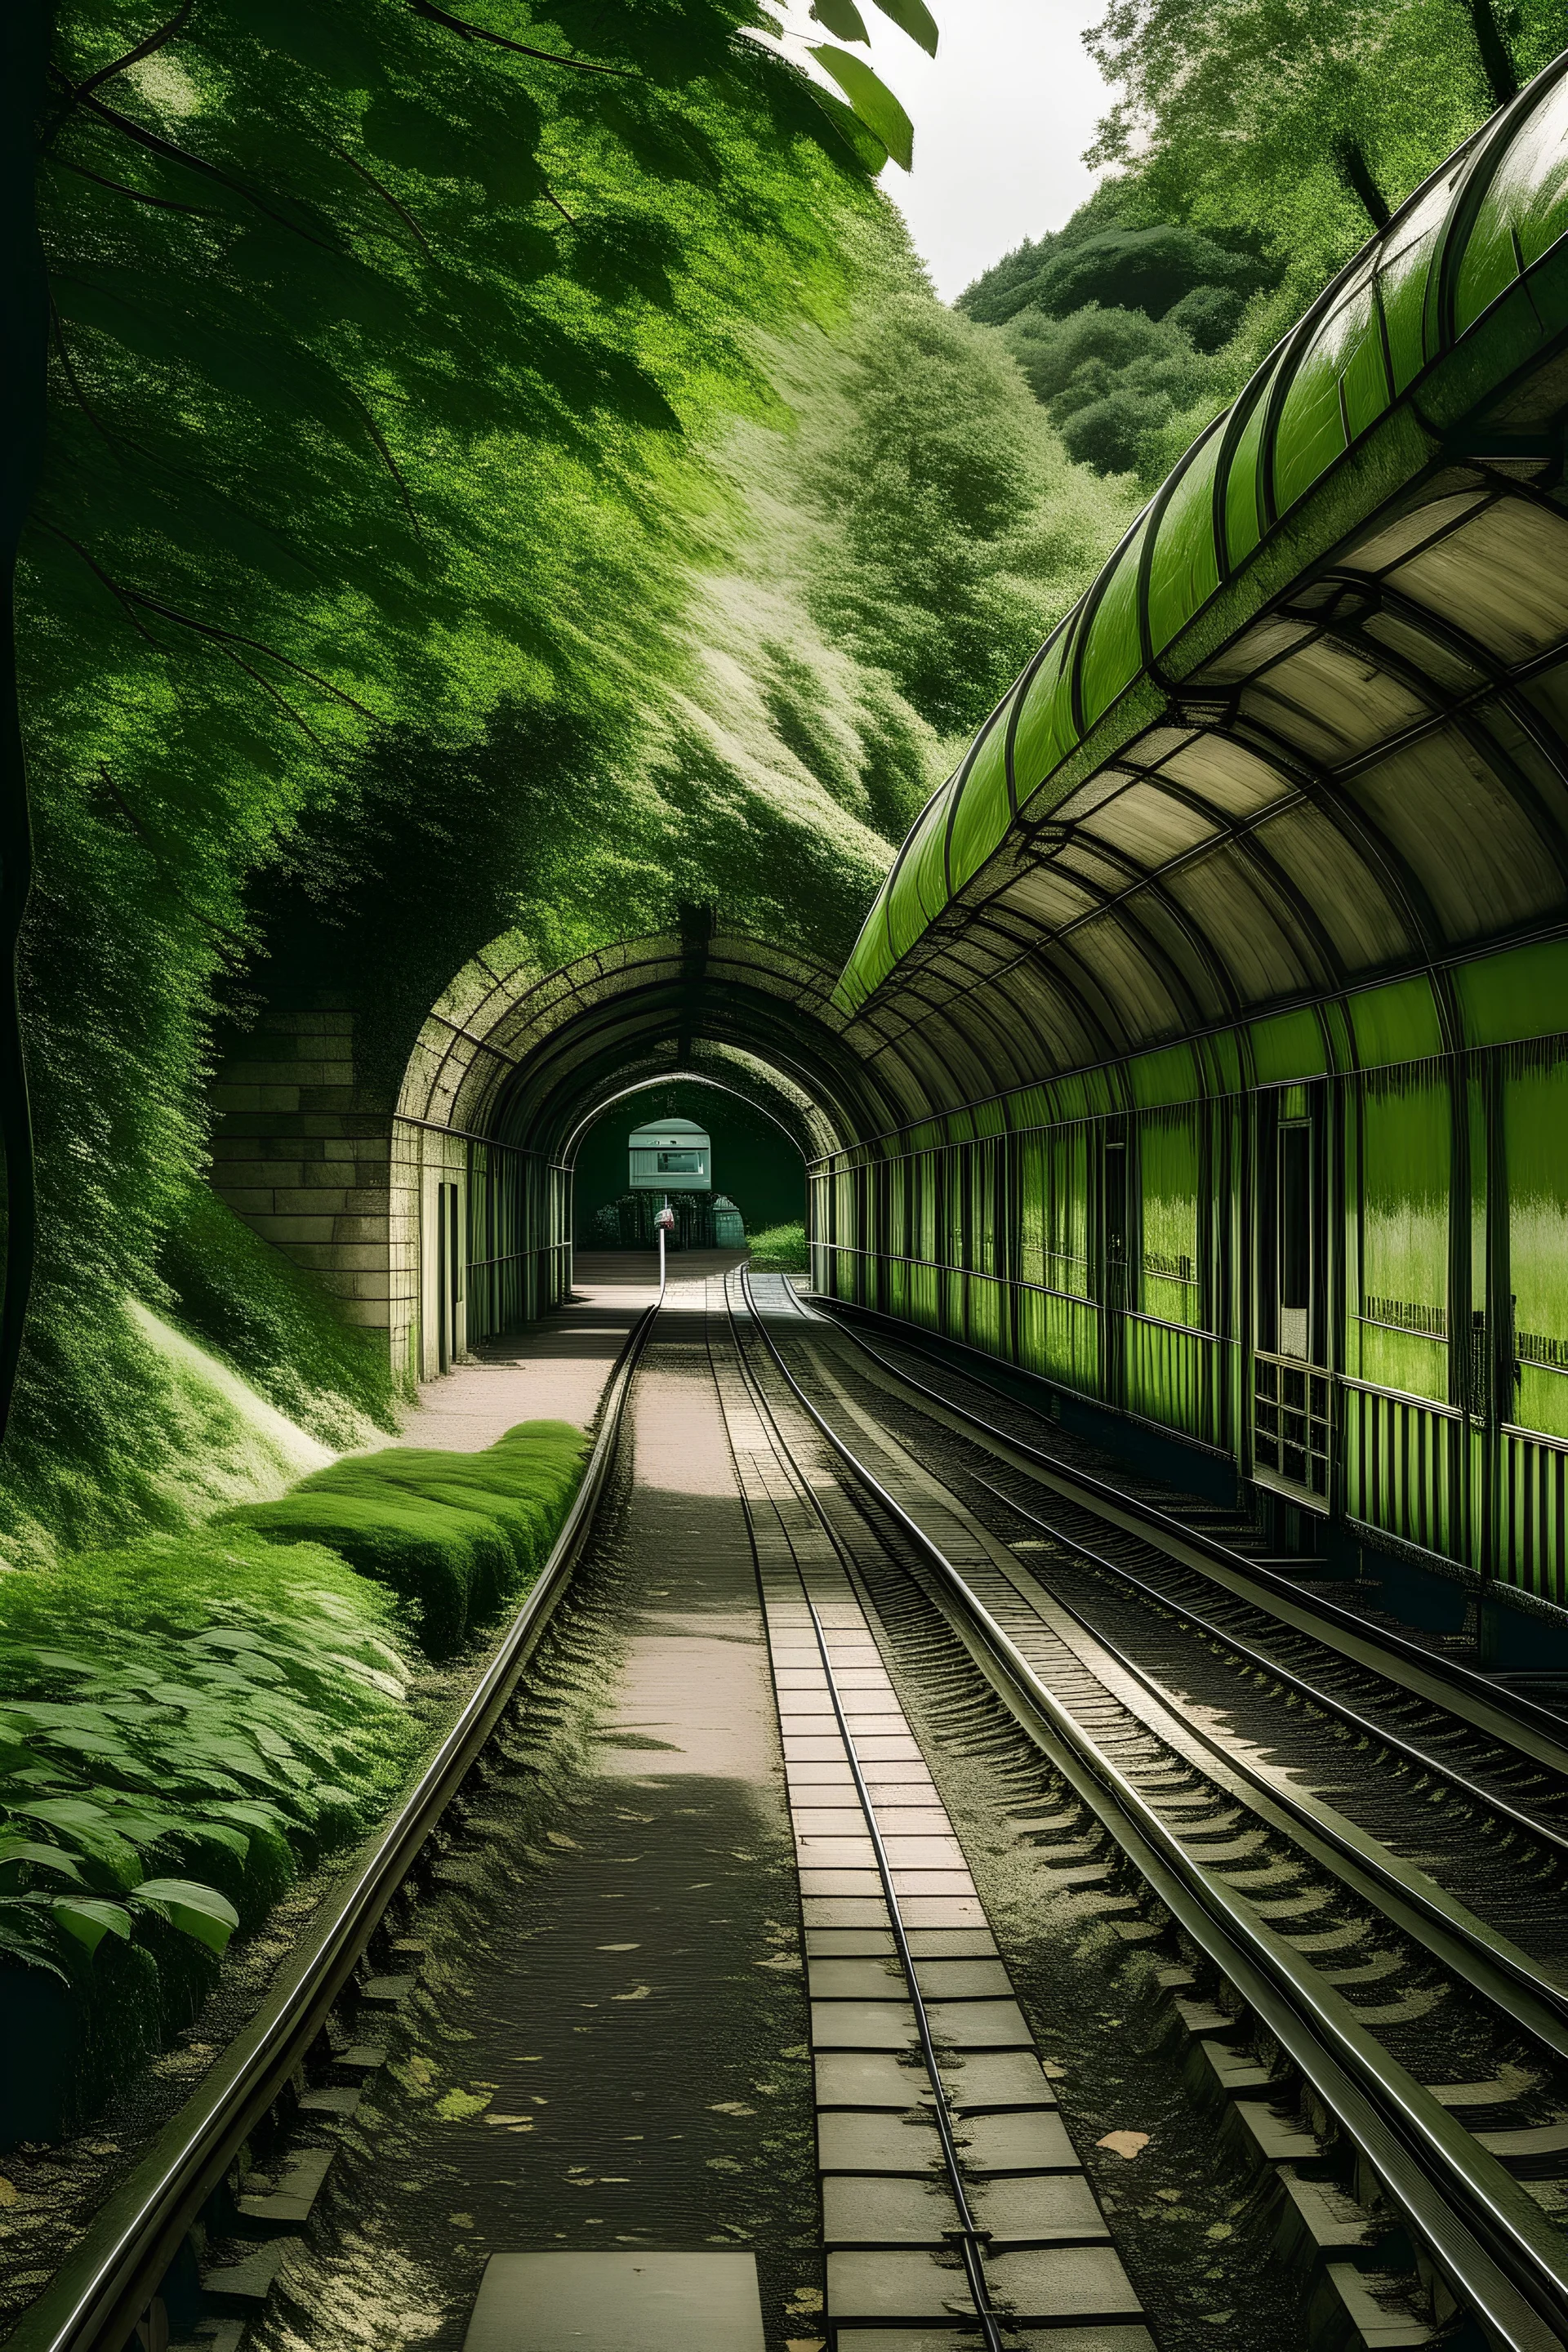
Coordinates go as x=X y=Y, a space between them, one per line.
x=1308 y=726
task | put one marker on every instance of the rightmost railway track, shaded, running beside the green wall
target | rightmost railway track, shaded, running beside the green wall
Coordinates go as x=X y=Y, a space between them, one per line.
x=1428 y=1758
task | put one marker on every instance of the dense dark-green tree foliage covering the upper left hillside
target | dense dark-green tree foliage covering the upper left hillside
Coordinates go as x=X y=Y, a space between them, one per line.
x=328 y=356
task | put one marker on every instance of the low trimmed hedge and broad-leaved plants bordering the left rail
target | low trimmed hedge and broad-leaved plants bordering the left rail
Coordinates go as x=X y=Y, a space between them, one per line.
x=189 y=1723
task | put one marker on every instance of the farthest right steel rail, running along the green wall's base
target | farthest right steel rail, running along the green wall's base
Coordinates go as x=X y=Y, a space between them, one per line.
x=1433 y=1664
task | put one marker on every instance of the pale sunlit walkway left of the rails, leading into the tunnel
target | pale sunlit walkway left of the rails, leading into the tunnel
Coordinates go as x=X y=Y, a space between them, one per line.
x=554 y=1370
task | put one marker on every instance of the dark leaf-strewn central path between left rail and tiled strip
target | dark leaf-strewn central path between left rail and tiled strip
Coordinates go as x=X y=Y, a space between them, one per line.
x=634 y=1993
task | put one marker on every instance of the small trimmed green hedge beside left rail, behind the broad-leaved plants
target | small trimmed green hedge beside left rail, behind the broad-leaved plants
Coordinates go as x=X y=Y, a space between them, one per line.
x=453 y=1535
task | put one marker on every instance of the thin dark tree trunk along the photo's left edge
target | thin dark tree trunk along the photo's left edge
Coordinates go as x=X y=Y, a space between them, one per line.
x=25 y=345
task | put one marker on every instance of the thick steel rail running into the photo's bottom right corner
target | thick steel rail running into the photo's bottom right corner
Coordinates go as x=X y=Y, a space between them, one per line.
x=1496 y=2252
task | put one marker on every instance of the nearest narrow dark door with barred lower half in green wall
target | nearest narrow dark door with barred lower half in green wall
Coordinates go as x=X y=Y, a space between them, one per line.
x=1292 y=1389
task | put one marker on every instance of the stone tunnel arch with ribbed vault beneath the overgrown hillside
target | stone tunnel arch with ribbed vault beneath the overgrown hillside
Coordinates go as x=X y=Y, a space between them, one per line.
x=516 y=1062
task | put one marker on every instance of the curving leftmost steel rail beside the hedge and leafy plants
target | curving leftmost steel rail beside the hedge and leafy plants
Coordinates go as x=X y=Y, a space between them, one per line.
x=107 y=2285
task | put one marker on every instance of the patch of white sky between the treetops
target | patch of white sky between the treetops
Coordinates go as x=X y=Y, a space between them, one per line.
x=1000 y=114
